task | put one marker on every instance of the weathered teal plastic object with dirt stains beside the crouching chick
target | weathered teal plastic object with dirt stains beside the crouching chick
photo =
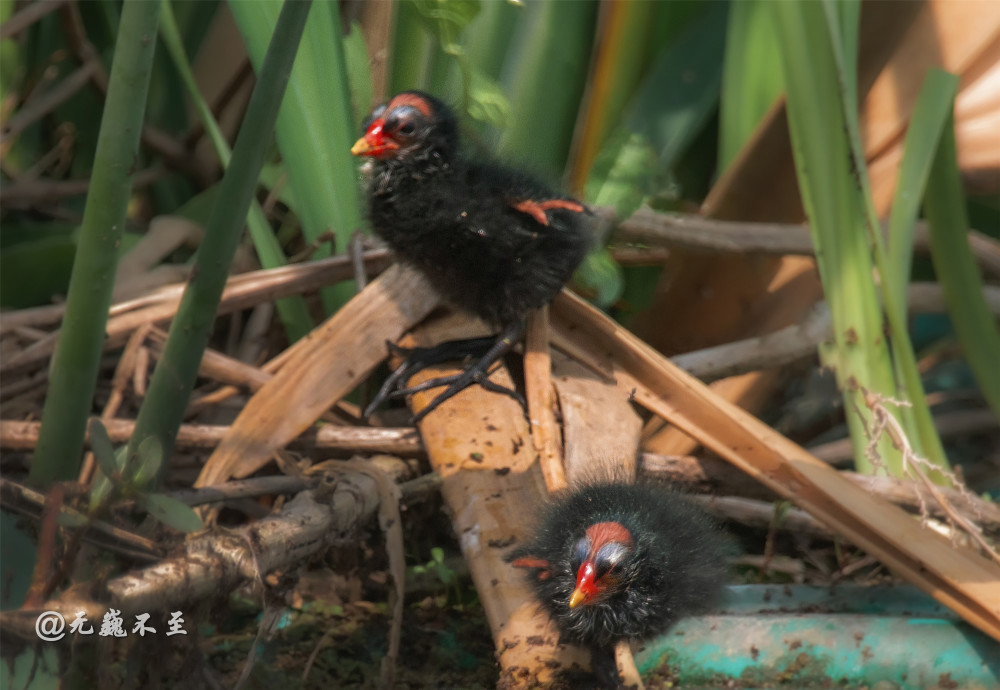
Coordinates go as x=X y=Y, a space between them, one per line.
x=800 y=636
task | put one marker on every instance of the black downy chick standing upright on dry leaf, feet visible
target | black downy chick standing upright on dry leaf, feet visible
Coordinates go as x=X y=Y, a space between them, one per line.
x=493 y=241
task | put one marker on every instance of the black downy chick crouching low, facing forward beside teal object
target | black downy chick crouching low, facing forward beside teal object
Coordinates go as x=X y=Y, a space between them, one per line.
x=613 y=561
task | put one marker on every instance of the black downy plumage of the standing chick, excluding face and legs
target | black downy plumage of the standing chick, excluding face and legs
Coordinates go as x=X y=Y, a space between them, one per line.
x=454 y=219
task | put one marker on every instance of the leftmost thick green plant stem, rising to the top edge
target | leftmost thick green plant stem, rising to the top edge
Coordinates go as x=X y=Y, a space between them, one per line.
x=81 y=340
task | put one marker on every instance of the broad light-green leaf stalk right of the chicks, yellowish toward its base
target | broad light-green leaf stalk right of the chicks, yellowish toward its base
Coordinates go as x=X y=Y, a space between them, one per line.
x=831 y=195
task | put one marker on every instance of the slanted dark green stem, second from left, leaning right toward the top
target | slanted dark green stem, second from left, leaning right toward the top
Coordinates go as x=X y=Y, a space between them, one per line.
x=173 y=379
